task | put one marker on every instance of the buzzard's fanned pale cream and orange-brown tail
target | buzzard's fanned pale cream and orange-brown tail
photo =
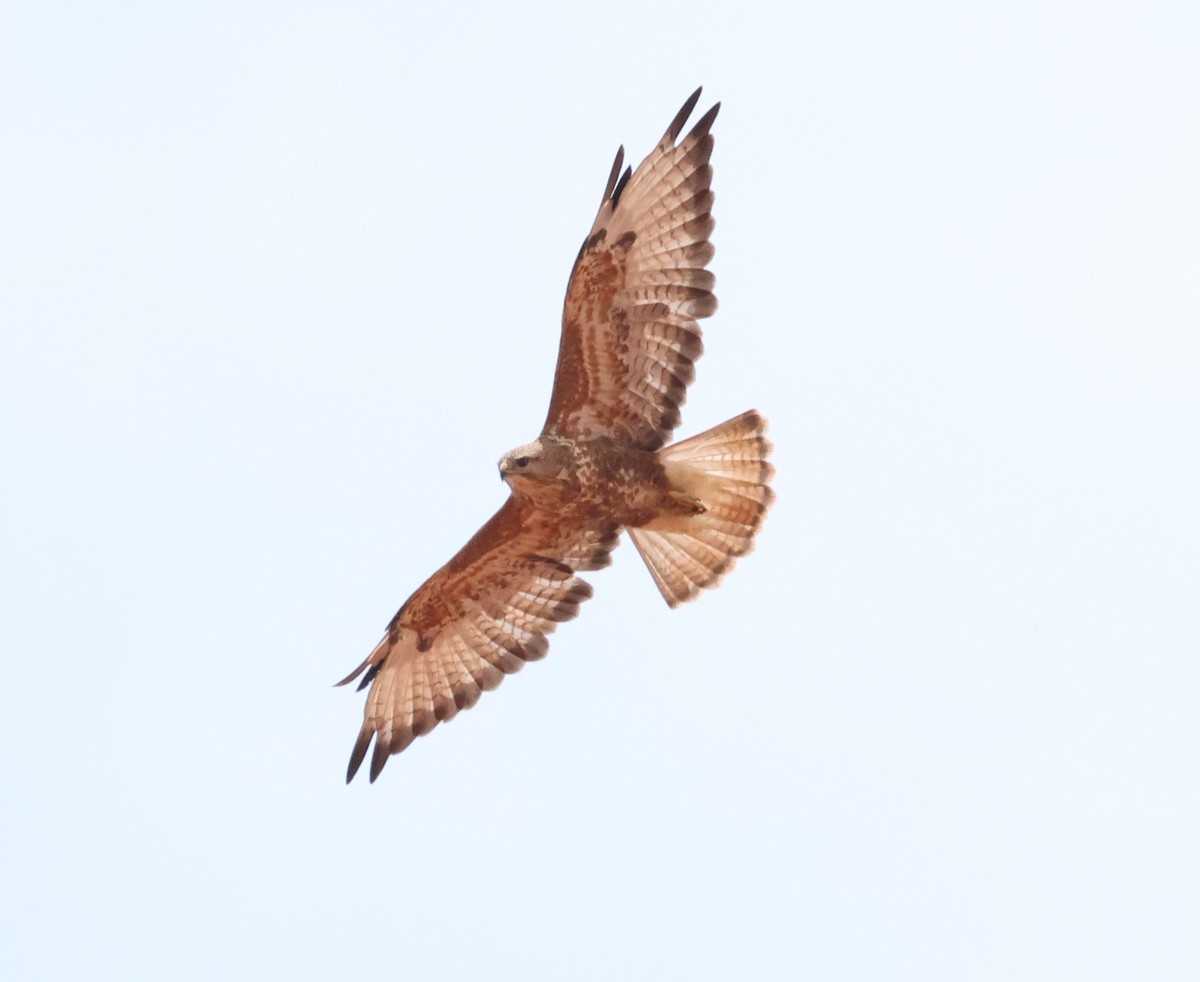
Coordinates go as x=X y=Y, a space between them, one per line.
x=727 y=471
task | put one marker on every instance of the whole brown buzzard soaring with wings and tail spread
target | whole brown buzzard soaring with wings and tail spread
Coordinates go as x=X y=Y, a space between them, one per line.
x=628 y=350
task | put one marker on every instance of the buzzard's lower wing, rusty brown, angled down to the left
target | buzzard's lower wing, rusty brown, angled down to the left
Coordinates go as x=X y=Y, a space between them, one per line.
x=478 y=619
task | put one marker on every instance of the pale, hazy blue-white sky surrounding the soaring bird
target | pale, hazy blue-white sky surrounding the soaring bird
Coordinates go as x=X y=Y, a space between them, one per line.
x=279 y=285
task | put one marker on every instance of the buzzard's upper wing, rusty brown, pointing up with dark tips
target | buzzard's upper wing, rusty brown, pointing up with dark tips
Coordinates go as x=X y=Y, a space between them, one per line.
x=631 y=337
